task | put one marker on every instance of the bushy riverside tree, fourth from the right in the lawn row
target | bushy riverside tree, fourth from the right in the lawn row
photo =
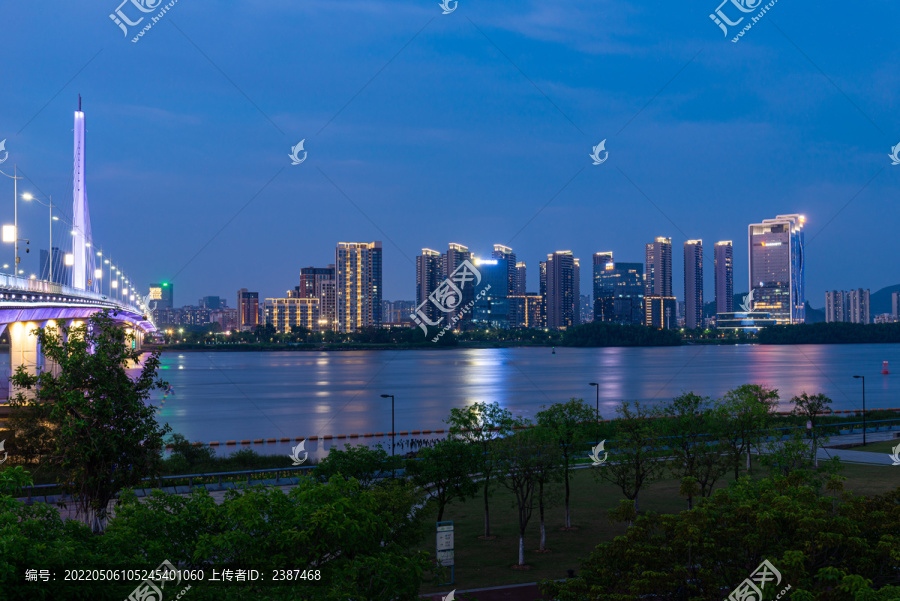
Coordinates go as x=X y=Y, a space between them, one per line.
x=635 y=458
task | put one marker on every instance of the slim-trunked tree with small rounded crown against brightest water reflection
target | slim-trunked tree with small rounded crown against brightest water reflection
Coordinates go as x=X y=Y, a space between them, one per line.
x=482 y=424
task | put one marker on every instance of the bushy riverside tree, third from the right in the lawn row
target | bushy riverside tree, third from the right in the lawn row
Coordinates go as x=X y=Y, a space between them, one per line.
x=691 y=430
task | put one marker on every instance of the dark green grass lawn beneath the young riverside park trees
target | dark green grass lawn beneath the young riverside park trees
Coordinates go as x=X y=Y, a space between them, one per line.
x=484 y=563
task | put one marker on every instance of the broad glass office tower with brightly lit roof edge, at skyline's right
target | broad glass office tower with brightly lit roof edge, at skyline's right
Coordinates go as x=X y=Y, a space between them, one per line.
x=777 y=268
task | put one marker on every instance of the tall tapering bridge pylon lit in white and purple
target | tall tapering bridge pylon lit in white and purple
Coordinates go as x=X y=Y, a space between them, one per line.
x=82 y=248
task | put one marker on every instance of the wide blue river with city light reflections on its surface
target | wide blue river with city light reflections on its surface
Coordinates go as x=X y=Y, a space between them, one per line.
x=233 y=396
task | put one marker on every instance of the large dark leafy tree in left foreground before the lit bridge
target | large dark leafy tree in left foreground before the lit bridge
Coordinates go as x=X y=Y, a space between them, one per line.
x=106 y=436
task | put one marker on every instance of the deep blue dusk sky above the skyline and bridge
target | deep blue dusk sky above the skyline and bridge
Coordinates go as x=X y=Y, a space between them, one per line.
x=473 y=122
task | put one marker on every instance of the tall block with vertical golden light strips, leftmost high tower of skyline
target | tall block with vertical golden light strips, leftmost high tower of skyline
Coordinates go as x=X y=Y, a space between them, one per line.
x=358 y=285
